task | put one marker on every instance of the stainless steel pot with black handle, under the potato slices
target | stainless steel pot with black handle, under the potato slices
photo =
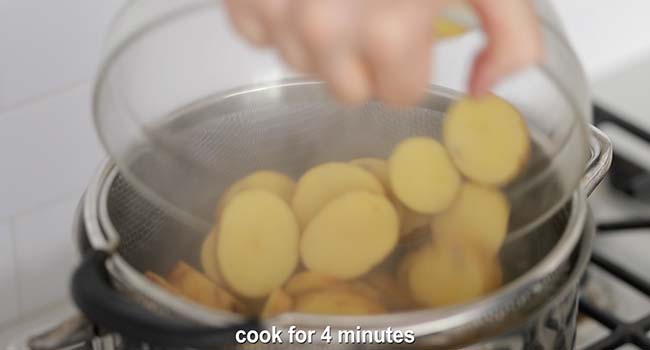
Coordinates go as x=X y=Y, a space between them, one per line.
x=121 y=231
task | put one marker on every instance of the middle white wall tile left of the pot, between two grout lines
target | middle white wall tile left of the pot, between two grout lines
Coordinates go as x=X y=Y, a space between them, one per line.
x=49 y=149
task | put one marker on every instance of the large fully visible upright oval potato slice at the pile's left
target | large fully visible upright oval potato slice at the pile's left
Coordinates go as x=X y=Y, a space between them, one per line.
x=257 y=245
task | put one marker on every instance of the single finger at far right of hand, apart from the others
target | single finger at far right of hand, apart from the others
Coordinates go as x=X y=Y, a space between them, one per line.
x=514 y=42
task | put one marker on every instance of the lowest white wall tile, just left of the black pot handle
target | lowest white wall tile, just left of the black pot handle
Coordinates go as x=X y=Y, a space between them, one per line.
x=45 y=254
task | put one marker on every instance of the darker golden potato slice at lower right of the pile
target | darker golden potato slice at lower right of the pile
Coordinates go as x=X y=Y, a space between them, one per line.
x=447 y=274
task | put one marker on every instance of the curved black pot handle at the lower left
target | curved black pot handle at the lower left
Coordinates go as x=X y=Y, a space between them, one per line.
x=95 y=296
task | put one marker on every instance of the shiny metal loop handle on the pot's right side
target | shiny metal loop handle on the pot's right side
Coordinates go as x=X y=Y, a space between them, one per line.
x=599 y=162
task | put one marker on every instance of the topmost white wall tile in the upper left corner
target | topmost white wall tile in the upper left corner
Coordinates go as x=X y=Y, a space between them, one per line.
x=47 y=45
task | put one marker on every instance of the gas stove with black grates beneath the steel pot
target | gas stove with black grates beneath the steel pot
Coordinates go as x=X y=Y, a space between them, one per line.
x=615 y=298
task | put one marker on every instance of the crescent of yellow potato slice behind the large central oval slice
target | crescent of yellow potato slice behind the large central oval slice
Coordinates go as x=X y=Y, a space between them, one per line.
x=325 y=182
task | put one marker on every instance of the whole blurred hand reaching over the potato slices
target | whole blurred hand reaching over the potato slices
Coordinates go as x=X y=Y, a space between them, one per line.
x=382 y=48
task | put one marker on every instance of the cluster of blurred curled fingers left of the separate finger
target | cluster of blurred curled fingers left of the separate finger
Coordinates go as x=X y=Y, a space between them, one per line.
x=361 y=48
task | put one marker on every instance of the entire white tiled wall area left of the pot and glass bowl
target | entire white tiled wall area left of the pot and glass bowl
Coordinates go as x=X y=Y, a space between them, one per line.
x=49 y=51
